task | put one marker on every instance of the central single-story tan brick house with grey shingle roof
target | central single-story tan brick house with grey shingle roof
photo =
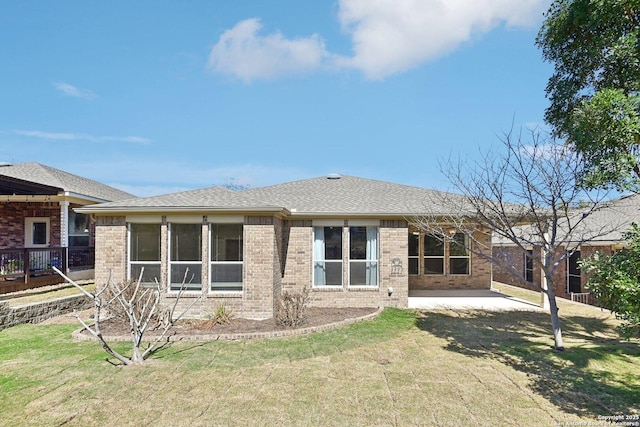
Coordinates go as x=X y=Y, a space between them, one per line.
x=348 y=239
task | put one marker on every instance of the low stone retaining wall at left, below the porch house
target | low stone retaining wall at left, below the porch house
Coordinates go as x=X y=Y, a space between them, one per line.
x=36 y=313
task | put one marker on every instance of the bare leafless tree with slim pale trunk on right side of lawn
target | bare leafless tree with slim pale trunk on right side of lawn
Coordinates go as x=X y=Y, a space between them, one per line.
x=526 y=194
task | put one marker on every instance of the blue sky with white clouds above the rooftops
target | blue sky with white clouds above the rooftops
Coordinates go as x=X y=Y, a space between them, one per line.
x=160 y=96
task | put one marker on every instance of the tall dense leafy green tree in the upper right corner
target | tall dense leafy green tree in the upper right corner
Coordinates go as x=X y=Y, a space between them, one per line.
x=594 y=90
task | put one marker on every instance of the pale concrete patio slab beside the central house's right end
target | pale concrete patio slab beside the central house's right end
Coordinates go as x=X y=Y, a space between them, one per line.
x=467 y=300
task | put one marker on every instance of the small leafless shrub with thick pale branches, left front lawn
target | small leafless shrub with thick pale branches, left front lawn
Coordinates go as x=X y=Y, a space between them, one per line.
x=137 y=304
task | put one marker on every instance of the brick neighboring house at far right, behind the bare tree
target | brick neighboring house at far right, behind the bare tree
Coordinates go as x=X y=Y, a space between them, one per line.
x=608 y=223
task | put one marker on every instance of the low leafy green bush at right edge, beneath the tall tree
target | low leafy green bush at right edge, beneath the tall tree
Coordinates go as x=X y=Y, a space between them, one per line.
x=615 y=282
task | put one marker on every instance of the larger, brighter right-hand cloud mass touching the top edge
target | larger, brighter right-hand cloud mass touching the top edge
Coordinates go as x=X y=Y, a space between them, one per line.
x=394 y=36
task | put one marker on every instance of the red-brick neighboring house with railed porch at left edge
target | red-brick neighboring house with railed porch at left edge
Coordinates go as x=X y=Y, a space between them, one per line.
x=39 y=228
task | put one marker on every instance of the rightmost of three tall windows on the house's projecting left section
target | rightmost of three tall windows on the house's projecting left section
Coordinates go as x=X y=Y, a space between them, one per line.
x=226 y=257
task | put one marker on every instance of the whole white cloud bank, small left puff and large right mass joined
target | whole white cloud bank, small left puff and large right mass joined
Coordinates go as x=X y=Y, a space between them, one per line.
x=388 y=37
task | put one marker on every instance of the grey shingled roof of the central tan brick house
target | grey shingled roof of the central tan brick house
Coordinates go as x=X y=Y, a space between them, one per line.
x=315 y=197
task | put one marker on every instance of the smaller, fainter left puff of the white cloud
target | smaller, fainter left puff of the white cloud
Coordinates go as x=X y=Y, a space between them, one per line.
x=243 y=53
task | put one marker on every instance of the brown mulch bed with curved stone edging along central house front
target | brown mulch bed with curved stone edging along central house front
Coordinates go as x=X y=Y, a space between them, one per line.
x=239 y=328
